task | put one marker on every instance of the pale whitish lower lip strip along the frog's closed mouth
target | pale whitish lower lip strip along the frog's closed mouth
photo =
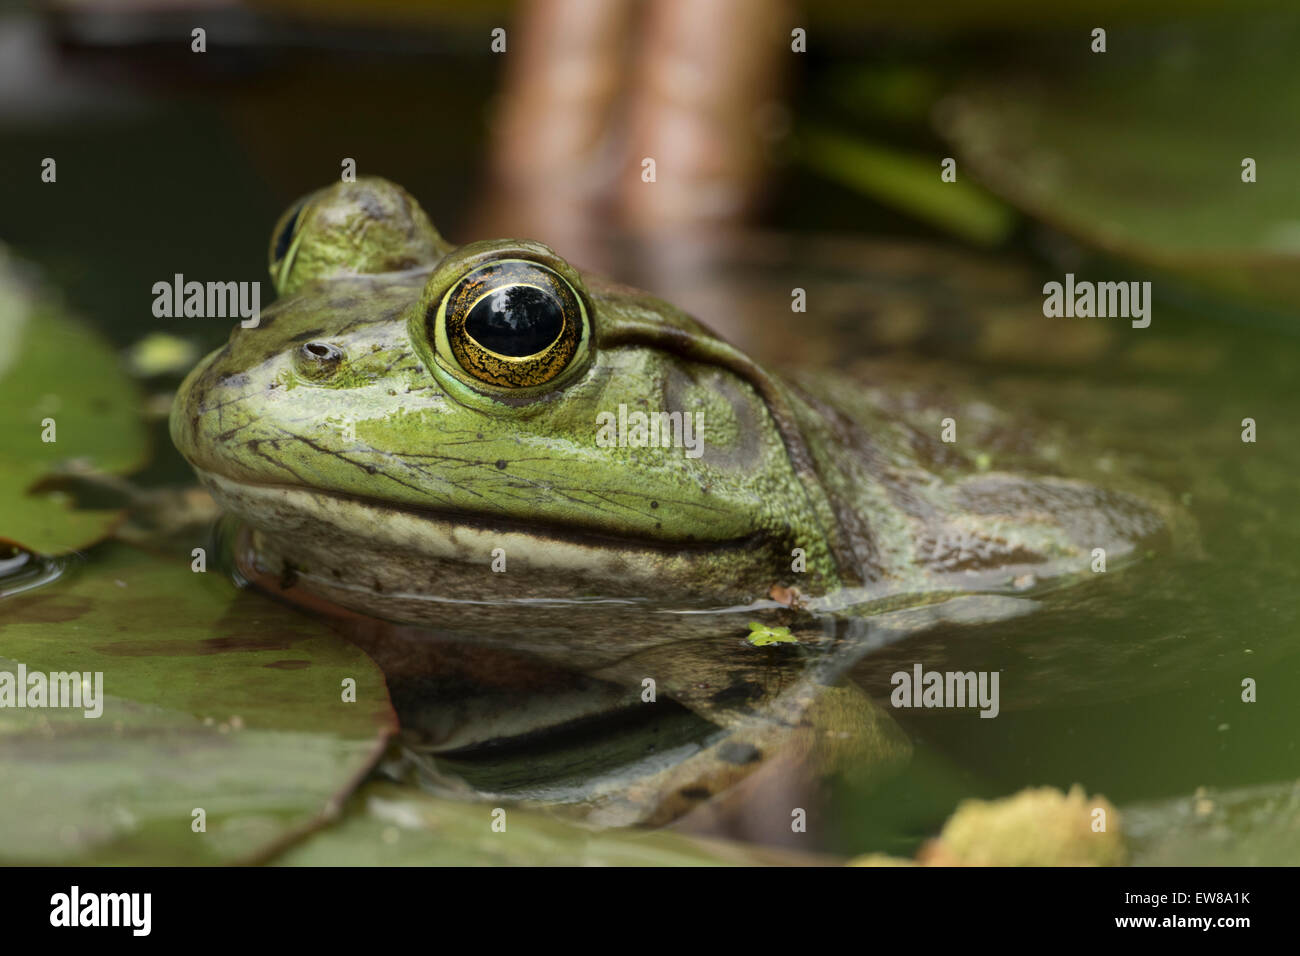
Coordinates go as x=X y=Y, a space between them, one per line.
x=285 y=505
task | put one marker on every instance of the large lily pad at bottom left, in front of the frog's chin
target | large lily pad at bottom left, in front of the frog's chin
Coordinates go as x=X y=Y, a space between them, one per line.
x=213 y=699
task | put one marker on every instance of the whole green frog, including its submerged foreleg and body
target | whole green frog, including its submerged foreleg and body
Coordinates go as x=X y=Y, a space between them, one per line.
x=414 y=434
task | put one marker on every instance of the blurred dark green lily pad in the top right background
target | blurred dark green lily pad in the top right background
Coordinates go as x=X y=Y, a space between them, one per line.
x=1139 y=152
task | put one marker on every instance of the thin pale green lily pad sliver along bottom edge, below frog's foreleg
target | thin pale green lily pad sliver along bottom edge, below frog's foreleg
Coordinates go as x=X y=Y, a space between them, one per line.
x=397 y=827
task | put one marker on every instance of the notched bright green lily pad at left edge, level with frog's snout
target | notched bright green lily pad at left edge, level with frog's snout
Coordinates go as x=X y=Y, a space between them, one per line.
x=60 y=382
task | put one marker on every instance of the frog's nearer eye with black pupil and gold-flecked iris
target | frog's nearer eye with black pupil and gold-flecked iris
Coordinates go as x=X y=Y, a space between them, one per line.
x=513 y=323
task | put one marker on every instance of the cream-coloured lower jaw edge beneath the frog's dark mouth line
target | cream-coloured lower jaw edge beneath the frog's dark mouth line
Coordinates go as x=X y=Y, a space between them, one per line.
x=424 y=530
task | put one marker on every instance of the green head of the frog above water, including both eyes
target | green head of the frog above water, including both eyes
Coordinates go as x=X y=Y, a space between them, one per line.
x=487 y=422
